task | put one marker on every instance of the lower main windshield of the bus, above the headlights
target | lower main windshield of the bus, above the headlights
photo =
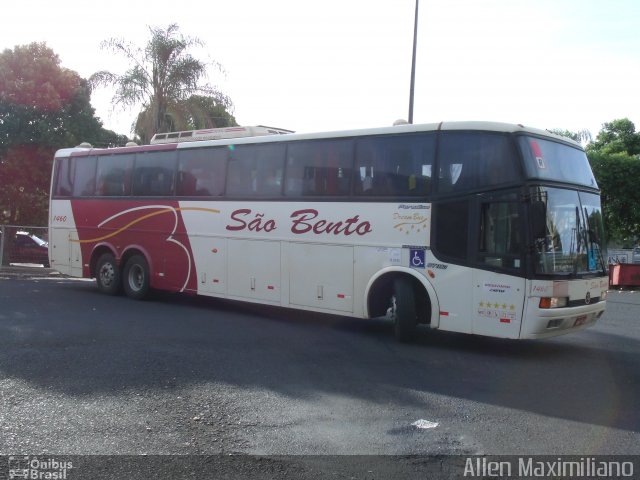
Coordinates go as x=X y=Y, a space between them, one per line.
x=572 y=241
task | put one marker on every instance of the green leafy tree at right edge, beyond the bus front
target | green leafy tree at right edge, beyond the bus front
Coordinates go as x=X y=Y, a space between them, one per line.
x=615 y=159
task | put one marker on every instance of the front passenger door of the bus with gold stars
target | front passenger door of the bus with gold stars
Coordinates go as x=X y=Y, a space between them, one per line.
x=498 y=280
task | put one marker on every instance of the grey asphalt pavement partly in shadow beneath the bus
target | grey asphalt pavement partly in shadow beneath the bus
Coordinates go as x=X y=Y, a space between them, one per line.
x=84 y=373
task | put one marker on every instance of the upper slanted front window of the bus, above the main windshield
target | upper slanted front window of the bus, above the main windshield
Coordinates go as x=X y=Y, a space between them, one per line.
x=549 y=160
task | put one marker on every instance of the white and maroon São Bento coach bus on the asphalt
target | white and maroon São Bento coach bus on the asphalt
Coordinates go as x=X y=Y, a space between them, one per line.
x=476 y=227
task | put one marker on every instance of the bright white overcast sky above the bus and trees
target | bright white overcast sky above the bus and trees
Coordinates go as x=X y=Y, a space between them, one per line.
x=346 y=64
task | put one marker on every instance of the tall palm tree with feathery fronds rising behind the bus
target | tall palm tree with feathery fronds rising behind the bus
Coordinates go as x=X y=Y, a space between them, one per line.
x=162 y=79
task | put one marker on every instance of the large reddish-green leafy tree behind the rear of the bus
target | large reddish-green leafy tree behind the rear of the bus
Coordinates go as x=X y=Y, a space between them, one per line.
x=43 y=107
